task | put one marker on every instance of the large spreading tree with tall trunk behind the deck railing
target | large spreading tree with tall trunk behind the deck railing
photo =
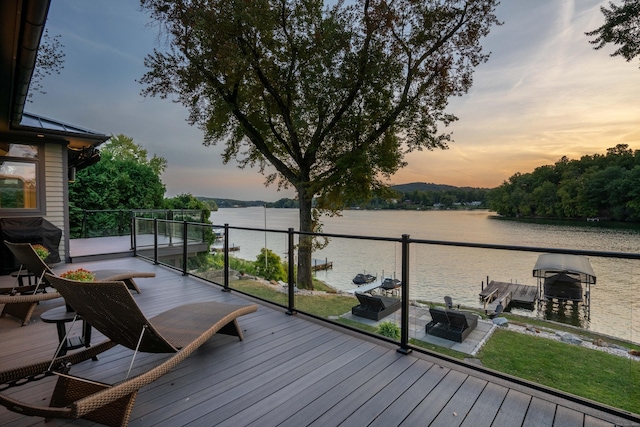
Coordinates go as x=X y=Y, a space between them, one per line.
x=331 y=96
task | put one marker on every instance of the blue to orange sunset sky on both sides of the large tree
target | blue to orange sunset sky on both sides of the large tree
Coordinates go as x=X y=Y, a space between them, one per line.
x=543 y=94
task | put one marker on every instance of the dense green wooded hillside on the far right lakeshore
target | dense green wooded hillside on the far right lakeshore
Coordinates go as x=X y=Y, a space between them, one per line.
x=605 y=186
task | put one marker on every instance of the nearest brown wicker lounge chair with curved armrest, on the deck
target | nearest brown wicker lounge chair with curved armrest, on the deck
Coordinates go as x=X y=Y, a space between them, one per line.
x=110 y=308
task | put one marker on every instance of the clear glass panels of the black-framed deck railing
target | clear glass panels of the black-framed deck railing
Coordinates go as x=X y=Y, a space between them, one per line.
x=477 y=302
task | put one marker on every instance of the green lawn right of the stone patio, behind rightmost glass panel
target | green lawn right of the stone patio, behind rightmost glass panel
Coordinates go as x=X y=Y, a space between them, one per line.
x=588 y=373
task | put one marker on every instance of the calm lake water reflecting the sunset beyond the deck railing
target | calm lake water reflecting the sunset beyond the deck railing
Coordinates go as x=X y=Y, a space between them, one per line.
x=436 y=271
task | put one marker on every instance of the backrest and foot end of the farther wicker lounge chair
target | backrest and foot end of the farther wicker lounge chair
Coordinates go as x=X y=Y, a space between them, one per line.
x=27 y=256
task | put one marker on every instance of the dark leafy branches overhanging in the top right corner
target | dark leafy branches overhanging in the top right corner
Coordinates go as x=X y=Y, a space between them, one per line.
x=621 y=27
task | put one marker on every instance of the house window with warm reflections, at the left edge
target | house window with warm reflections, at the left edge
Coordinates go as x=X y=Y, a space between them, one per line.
x=19 y=165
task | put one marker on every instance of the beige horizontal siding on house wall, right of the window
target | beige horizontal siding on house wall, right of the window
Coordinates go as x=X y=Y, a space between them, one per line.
x=55 y=179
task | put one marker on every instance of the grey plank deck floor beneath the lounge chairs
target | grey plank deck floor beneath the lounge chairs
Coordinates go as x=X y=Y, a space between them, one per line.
x=291 y=371
